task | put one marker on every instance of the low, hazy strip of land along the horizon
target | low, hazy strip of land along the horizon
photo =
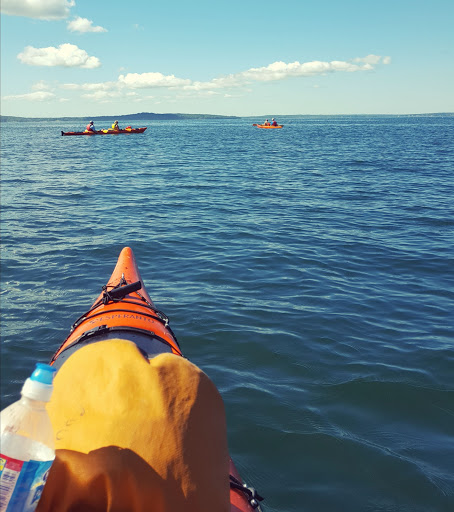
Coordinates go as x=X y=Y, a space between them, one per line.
x=181 y=117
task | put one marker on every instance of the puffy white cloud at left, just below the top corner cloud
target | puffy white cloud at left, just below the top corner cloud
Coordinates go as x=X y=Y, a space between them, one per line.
x=66 y=55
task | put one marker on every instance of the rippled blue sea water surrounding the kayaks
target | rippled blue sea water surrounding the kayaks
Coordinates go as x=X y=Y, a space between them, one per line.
x=308 y=271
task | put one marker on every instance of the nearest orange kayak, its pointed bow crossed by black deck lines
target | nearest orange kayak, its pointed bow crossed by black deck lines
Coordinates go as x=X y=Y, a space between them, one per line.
x=125 y=310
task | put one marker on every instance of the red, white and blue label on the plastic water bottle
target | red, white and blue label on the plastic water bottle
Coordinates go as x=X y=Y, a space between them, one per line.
x=21 y=483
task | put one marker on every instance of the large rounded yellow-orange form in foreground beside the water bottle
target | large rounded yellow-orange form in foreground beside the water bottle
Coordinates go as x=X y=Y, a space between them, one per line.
x=136 y=434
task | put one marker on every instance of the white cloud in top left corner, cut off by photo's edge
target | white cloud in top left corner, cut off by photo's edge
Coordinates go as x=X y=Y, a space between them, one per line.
x=41 y=9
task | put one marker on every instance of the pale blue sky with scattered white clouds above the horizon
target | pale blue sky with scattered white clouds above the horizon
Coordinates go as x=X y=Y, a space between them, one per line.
x=237 y=57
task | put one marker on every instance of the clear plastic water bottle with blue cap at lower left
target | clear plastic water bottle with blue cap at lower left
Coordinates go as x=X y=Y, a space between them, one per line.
x=27 y=444
